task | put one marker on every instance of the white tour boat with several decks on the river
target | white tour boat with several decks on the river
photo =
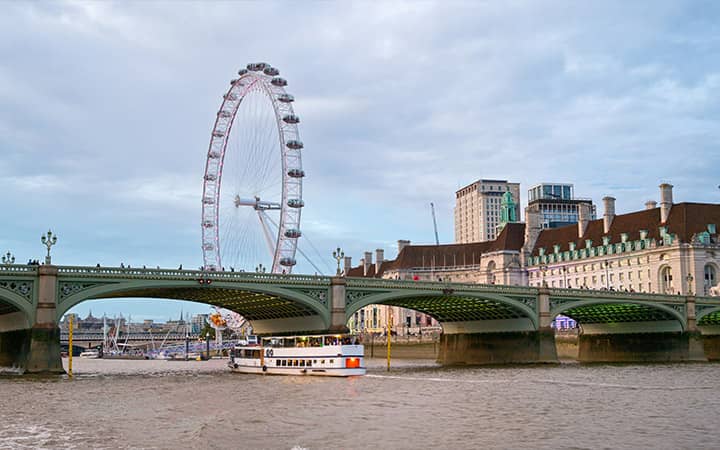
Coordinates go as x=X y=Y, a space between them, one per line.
x=327 y=355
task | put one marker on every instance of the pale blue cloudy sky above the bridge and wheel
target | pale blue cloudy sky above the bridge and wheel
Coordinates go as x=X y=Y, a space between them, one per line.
x=106 y=110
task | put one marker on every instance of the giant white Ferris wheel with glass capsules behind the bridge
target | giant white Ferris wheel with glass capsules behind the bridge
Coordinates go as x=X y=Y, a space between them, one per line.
x=252 y=188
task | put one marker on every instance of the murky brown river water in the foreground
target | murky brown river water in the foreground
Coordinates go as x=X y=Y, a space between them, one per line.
x=195 y=404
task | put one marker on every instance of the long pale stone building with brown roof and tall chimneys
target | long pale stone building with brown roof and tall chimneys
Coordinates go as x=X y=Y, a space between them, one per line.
x=670 y=249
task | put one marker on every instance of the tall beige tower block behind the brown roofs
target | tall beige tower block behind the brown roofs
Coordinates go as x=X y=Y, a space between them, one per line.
x=478 y=209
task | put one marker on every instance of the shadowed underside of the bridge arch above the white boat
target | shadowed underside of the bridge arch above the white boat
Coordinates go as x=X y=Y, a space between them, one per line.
x=267 y=313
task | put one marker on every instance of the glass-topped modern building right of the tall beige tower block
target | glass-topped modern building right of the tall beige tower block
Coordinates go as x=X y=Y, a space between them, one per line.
x=557 y=205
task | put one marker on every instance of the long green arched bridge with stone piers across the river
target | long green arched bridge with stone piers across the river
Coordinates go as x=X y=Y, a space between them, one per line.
x=482 y=324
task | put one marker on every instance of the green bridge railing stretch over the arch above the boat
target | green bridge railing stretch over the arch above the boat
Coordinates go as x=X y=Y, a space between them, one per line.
x=173 y=274
